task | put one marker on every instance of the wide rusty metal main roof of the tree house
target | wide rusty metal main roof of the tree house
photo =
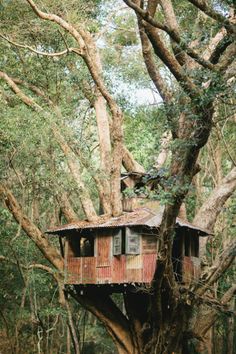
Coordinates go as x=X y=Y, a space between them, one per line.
x=139 y=217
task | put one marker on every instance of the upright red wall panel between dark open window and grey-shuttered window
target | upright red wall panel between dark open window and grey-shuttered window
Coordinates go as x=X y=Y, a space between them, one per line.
x=103 y=251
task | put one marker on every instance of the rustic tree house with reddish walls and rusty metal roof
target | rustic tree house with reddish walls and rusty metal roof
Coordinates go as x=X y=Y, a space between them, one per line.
x=123 y=250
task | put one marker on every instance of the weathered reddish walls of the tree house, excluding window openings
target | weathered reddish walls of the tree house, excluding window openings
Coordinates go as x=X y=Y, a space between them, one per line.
x=104 y=268
